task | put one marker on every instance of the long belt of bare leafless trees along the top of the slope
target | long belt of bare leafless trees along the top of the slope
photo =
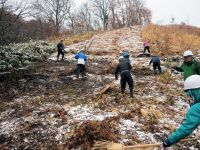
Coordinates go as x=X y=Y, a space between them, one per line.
x=51 y=16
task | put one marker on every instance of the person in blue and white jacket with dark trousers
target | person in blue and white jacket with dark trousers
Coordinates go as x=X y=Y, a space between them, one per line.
x=82 y=58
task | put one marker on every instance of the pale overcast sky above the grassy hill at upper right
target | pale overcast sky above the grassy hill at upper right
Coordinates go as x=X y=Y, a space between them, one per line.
x=187 y=11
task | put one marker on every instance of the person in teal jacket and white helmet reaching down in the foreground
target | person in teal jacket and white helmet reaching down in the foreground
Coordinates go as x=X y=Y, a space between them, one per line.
x=192 y=119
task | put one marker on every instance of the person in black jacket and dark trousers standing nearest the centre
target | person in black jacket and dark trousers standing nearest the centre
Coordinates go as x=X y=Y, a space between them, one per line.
x=124 y=68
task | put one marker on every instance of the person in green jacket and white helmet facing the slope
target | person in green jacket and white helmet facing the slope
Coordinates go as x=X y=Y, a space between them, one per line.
x=190 y=66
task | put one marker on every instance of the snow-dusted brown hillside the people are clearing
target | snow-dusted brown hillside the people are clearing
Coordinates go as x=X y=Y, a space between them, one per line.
x=44 y=106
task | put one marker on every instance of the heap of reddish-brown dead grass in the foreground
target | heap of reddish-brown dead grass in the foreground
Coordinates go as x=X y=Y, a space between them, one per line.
x=91 y=131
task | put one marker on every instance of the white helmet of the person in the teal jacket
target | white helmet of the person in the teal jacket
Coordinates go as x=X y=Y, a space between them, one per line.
x=192 y=82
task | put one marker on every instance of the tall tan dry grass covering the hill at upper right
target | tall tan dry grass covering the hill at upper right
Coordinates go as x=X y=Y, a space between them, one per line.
x=172 y=39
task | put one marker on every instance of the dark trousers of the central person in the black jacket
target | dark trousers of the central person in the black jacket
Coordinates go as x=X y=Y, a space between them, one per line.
x=126 y=77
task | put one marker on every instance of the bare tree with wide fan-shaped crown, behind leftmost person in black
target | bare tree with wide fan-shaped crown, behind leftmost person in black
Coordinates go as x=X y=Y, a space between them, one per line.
x=54 y=11
